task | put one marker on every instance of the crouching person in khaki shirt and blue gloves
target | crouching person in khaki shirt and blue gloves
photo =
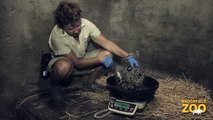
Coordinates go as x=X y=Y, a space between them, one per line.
x=69 y=39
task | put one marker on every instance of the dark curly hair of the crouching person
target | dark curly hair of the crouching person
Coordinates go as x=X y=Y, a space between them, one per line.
x=67 y=13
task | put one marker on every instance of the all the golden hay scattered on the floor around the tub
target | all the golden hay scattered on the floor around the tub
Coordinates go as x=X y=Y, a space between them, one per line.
x=167 y=103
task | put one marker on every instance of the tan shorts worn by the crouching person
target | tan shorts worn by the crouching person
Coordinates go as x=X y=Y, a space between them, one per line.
x=91 y=54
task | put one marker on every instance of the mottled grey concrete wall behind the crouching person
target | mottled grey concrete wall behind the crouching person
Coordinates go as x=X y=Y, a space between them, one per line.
x=172 y=36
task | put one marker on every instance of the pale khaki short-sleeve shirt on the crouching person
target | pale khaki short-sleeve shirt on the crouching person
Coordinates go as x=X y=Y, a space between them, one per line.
x=61 y=43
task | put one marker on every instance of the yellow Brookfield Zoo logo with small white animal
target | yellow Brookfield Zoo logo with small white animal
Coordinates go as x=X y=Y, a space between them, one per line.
x=194 y=106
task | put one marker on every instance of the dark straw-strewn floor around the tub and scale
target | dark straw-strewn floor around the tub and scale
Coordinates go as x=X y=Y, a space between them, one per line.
x=81 y=104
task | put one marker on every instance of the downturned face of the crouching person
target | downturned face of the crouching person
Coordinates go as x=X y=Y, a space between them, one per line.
x=73 y=29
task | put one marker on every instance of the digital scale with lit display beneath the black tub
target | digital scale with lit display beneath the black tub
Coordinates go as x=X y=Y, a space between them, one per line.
x=125 y=107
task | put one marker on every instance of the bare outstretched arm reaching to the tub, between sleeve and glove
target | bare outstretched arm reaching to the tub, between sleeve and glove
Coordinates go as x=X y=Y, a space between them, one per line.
x=110 y=46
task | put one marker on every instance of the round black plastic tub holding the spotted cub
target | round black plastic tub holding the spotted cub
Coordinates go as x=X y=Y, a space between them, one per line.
x=146 y=93
